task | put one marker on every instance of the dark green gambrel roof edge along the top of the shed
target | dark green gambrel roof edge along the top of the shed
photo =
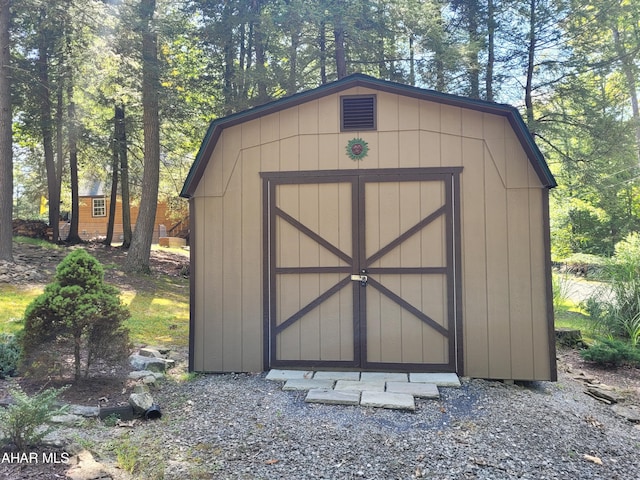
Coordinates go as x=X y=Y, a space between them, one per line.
x=359 y=80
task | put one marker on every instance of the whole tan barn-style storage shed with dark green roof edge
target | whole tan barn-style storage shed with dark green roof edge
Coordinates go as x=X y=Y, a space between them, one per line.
x=370 y=225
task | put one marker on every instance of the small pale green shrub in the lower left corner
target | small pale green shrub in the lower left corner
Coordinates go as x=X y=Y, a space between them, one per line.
x=23 y=422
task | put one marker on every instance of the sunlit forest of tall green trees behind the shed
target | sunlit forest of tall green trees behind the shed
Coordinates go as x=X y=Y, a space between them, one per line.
x=94 y=88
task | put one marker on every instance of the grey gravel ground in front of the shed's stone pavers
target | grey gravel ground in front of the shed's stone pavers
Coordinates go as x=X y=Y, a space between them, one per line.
x=244 y=427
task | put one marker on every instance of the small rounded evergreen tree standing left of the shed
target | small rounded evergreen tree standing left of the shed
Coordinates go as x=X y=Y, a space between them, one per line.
x=77 y=316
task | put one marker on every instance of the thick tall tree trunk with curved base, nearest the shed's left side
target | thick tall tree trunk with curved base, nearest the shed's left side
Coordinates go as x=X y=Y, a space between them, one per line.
x=138 y=257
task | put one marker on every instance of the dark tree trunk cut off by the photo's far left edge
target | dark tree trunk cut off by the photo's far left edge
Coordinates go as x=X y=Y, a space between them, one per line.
x=6 y=137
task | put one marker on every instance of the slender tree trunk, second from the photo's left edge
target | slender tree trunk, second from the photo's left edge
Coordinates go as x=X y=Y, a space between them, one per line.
x=47 y=131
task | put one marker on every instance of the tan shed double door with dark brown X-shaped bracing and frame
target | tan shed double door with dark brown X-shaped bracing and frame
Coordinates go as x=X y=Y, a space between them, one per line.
x=361 y=270
